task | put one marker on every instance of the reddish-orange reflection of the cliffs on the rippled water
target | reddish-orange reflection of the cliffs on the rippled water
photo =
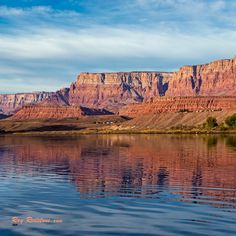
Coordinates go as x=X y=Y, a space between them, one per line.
x=131 y=164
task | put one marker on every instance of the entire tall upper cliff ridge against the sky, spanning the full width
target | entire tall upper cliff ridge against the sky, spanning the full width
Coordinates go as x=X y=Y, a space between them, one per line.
x=114 y=90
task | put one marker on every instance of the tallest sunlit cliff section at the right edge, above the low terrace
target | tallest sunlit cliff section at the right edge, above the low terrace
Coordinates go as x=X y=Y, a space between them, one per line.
x=214 y=79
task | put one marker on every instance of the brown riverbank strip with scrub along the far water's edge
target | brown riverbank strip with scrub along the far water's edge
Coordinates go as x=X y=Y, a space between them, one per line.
x=111 y=124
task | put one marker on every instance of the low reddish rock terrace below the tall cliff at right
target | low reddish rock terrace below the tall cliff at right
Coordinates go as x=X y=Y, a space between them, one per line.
x=180 y=104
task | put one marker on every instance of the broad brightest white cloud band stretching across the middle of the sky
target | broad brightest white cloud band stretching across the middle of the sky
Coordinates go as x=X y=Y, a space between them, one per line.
x=101 y=42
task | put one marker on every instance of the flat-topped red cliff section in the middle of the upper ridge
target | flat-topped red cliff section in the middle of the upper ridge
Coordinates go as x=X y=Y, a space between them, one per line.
x=112 y=90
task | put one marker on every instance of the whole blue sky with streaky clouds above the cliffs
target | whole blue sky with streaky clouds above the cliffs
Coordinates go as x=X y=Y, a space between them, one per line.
x=45 y=44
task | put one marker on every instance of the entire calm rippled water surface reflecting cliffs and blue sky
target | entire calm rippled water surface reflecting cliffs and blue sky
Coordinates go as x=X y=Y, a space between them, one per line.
x=118 y=185
